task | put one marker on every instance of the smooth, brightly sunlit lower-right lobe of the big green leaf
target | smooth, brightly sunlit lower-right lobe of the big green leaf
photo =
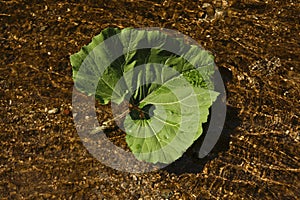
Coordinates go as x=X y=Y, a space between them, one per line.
x=179 y=113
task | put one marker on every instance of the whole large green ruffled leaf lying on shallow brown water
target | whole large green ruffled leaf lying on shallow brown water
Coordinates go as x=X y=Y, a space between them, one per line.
x=134 y=65
